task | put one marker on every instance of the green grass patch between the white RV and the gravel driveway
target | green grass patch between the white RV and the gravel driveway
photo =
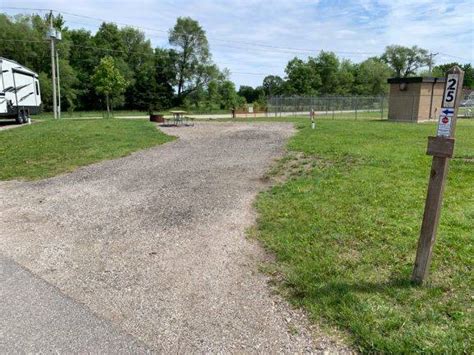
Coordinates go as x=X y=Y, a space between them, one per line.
x=53 y=147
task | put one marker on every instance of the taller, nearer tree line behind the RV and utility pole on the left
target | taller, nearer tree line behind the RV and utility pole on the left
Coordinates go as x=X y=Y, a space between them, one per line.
x=120 y=66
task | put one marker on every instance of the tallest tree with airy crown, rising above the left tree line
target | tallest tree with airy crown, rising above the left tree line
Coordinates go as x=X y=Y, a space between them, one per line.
x=193 y=57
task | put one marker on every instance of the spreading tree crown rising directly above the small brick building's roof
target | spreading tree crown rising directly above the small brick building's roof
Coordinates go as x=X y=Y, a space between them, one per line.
x=405 y=61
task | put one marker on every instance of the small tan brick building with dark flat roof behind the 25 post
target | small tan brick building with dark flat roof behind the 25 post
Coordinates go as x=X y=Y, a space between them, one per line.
x=415 y=99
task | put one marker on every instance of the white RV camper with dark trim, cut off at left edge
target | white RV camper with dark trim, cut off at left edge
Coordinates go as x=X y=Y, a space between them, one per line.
x=20 y=94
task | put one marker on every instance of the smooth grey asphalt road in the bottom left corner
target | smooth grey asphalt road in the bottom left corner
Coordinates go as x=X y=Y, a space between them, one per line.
x=36 y=317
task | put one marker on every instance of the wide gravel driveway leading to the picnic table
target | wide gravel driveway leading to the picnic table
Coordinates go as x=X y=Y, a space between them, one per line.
x=155 y=242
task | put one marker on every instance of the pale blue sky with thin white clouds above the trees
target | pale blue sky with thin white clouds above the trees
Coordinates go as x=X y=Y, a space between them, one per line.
x=254 y=38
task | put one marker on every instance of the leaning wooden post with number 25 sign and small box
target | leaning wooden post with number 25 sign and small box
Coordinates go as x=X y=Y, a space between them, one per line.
x=441 y=148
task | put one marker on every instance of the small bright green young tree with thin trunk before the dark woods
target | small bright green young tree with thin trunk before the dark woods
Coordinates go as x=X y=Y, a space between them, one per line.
x=108 y=80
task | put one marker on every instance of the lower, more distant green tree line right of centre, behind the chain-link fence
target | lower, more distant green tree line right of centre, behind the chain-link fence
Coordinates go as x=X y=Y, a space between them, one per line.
x=326 y=74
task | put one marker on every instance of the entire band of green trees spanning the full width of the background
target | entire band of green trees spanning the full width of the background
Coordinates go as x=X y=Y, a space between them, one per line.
x=118 y=67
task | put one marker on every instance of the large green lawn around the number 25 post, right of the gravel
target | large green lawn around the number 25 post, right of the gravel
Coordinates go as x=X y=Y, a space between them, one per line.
x=344 y=229
